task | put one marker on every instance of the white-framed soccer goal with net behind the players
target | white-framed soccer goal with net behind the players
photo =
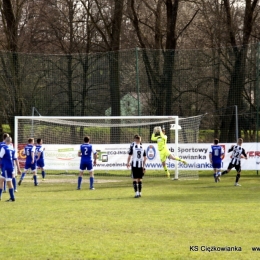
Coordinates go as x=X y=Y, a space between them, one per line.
x=111 y=137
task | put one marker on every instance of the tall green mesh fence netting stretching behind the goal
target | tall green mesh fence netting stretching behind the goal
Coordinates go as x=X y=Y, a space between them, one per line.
x=139 y=82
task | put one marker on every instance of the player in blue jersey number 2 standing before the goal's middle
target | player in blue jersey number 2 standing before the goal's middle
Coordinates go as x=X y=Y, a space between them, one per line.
x=85 y=152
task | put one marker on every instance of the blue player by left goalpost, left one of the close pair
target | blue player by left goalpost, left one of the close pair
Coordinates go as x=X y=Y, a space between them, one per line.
x=30 y=162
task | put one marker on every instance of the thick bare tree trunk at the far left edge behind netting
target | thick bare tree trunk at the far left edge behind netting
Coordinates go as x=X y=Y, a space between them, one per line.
x=12 y=77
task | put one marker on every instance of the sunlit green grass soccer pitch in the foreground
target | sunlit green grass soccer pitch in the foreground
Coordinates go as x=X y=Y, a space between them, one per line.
x=56 y=221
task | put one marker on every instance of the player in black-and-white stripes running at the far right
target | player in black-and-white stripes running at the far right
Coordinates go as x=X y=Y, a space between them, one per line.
x=237 y=153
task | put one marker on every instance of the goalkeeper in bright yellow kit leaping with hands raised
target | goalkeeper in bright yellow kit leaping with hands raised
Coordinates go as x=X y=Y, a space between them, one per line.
x=159 y=136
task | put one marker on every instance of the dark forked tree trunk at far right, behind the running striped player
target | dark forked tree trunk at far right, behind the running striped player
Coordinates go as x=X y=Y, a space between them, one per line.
x=239 y=51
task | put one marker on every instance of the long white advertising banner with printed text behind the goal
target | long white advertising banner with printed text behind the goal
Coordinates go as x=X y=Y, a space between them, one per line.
x=114 y=156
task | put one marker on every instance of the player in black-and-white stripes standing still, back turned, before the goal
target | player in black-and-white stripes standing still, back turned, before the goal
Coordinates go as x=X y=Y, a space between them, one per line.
x=138 y=155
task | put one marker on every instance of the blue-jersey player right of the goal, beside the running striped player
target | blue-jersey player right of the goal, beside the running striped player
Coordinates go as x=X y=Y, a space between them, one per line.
x=216 y=154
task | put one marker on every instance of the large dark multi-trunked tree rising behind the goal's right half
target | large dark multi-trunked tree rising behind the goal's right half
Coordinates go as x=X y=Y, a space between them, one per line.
x=160 y=79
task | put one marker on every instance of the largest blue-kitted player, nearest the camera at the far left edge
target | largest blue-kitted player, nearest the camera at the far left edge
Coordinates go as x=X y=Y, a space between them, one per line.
x=6 y=155
